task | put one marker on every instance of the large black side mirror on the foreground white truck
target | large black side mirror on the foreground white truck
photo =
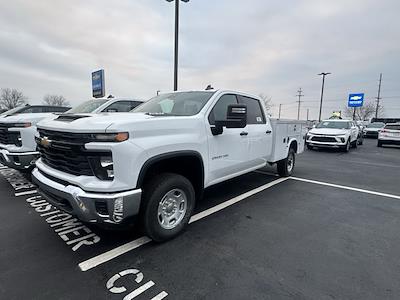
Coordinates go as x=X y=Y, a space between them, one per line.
x=236 y=117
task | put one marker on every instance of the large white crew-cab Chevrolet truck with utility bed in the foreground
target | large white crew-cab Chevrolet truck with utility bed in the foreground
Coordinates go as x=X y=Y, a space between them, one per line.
x=155 y=162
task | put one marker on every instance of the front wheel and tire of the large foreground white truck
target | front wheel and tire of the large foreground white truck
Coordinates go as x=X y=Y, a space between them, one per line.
x=161 y=197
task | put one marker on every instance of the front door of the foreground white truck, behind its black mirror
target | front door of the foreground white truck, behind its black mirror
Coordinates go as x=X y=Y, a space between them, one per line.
x=228 y=152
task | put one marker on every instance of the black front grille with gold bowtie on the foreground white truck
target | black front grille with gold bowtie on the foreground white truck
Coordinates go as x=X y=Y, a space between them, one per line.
x=66 y=152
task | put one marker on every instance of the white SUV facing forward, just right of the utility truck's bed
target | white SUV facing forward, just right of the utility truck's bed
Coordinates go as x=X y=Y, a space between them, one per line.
x=333 y=133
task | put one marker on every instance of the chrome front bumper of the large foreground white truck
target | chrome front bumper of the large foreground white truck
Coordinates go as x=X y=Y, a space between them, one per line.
x=88 y=206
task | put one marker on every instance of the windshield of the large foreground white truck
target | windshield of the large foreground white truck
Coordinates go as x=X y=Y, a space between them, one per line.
x=175 y=104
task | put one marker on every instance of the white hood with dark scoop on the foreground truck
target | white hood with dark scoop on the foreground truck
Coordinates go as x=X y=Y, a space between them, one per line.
x=92 y=122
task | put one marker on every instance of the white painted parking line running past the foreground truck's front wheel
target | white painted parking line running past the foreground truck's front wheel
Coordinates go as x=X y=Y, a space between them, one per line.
x=109 y=255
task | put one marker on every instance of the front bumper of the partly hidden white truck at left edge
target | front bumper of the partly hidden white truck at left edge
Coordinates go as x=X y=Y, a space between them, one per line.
x=18 y=160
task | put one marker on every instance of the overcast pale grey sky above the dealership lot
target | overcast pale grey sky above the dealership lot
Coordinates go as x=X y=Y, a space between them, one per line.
x=258 y=46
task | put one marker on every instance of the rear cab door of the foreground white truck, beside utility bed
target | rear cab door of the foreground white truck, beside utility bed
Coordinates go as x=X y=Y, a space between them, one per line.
x=259 y=131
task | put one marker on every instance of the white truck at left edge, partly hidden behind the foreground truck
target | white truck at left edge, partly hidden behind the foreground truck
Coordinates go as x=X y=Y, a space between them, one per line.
x=18 y=148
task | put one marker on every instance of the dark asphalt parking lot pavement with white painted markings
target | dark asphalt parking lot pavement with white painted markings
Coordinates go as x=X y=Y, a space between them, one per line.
x=330 y=232
